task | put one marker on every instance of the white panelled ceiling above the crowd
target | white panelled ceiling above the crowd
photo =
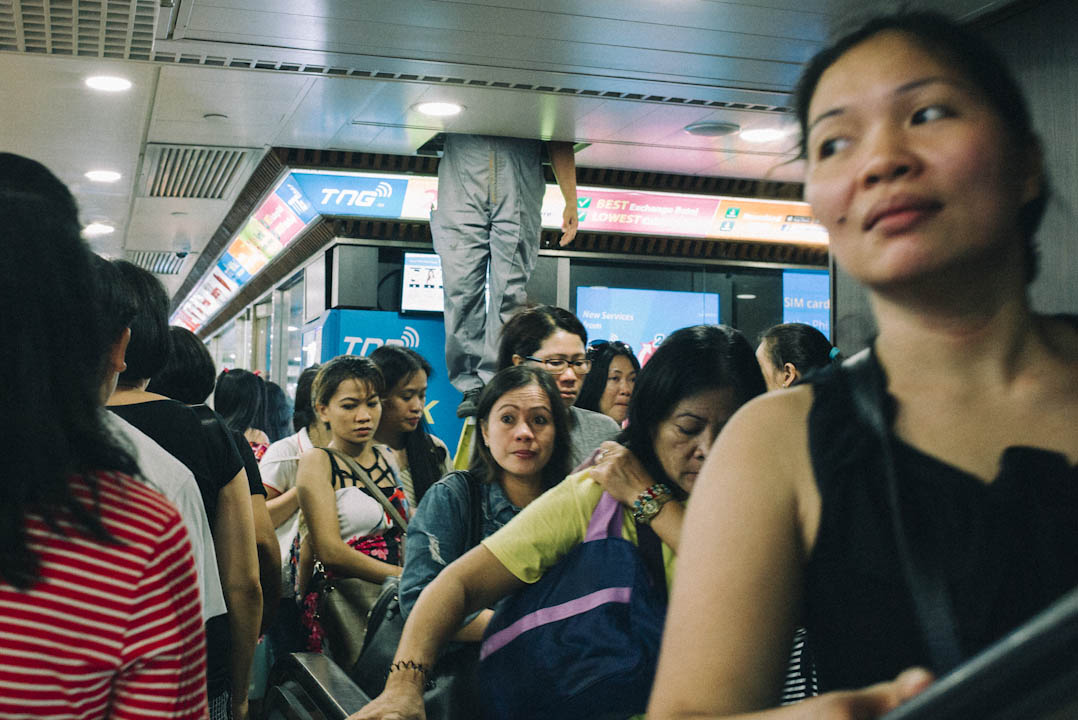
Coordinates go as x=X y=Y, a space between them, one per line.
x=625 y=76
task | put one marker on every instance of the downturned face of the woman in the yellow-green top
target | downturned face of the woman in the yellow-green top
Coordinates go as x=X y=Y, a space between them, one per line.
x=682 y=441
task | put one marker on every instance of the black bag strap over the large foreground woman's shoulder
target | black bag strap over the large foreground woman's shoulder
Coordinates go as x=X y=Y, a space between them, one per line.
x=928 y=583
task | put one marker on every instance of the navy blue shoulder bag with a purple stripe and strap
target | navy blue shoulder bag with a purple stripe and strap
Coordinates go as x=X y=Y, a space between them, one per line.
x=583 y=642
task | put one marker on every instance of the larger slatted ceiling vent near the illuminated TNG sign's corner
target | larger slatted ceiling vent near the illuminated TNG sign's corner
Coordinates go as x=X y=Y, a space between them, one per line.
x=192 y=172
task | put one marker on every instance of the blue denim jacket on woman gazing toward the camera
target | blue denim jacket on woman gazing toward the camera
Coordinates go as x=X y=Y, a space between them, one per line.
x=439 y=532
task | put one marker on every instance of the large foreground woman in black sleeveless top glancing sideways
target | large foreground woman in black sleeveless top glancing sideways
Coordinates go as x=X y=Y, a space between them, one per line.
x=923 y=167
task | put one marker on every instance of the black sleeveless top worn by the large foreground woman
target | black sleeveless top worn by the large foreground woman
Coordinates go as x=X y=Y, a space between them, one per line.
x=1008 y=548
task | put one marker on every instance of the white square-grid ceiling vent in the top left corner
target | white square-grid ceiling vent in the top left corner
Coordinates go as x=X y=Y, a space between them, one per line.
x=85 y=29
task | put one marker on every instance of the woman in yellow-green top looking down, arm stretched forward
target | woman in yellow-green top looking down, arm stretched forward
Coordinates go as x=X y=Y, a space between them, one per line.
x=697 y=380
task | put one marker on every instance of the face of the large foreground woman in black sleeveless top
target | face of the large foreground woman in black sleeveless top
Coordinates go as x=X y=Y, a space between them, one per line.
x=909 y=168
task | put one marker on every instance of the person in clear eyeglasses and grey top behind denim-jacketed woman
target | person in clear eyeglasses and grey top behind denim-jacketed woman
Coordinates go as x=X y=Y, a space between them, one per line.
x=554 y=340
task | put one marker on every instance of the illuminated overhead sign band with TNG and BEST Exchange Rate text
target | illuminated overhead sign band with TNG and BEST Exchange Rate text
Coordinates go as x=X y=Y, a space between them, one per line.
x=303 y=197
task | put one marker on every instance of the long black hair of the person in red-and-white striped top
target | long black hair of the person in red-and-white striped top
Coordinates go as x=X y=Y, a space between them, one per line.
x=51 y=400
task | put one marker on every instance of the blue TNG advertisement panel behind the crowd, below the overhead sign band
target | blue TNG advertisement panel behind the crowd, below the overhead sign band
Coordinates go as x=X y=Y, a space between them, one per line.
x=362 y=333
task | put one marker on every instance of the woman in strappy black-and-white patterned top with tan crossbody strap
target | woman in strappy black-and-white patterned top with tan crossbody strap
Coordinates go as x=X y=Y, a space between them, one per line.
x=342 y=527
